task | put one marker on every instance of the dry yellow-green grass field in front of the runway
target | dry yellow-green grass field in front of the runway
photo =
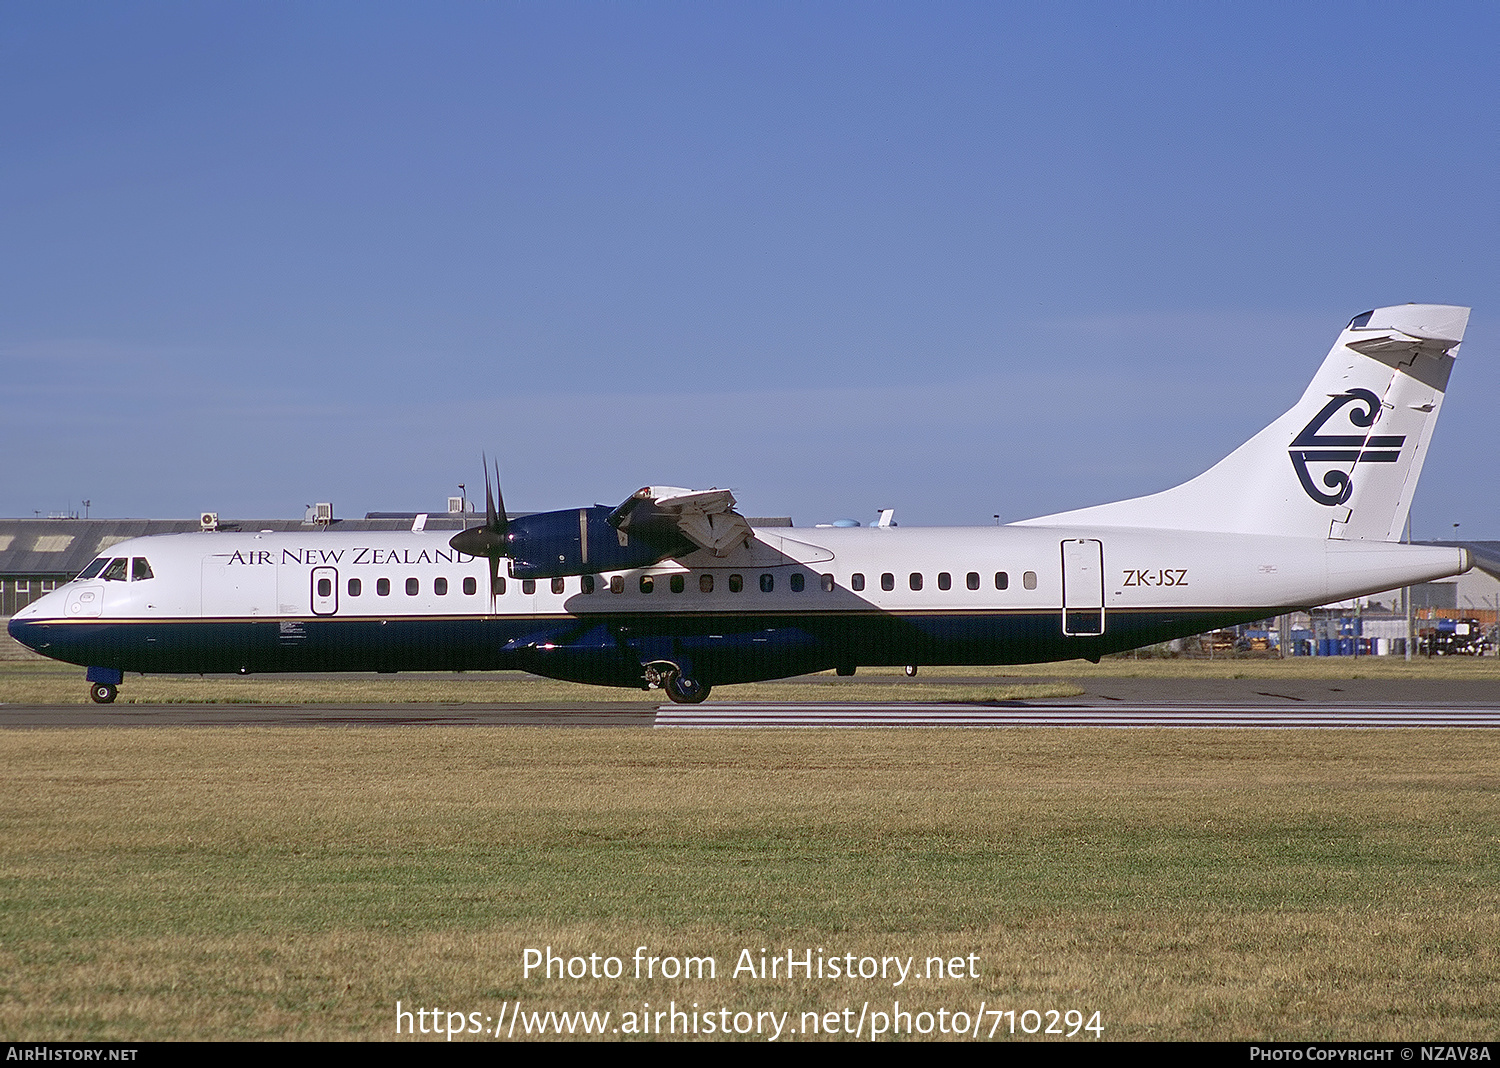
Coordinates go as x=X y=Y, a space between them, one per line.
x=256 y=884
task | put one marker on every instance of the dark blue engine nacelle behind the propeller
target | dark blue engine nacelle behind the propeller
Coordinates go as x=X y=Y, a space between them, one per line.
x=583 y=542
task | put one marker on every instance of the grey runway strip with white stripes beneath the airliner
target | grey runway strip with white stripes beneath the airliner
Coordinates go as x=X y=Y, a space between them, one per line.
x=1108 y=703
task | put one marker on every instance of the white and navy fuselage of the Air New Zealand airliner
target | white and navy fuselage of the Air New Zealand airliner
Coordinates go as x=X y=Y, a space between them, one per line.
x=784 y=604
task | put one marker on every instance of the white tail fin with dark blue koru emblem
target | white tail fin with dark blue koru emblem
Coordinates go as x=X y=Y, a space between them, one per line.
x=1343 y=463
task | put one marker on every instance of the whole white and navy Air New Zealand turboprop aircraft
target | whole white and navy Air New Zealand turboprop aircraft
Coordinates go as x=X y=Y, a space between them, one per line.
x=676 y=590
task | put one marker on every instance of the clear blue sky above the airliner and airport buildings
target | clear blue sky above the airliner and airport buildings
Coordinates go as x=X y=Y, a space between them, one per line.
x=953 y=259
